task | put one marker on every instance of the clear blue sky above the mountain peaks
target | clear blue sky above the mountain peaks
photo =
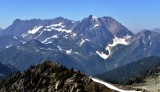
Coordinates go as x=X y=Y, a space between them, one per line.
x=134 y=14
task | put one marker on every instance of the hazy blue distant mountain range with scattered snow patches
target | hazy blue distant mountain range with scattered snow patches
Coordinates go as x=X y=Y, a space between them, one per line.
x=92 y=45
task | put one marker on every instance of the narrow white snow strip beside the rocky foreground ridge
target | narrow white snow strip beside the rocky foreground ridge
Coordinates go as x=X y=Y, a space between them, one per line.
x=111 y=86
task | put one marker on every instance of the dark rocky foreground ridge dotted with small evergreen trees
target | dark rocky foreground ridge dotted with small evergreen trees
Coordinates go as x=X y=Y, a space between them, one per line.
x=50 y=77
